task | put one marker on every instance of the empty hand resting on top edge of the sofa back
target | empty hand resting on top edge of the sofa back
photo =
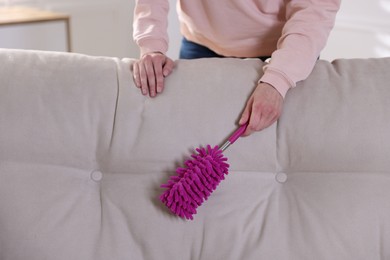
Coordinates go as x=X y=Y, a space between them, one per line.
x=149 y=72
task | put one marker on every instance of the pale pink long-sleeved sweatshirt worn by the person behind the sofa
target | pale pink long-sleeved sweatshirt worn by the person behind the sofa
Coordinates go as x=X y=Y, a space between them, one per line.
x=294 y=31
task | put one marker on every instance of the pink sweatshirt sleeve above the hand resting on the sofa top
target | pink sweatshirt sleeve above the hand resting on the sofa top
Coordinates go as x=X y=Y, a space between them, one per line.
x=150 y=25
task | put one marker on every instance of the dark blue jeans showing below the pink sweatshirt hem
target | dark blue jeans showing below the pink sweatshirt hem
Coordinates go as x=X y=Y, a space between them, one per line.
x=191 y=50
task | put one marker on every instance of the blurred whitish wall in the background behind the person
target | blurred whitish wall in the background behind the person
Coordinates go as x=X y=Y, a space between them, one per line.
x=104 y=27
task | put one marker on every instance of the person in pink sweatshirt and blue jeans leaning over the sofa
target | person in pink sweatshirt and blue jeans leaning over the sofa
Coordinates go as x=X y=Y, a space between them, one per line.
x=291 y=32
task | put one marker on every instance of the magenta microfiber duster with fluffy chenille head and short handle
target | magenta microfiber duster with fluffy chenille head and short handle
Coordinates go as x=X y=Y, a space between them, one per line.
x=201 y=176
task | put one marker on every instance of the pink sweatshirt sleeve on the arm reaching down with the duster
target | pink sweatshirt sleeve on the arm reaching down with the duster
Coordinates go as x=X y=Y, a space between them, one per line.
x=304 y=35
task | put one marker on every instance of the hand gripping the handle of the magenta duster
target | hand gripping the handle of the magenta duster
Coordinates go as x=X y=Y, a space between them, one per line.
x=262 y=109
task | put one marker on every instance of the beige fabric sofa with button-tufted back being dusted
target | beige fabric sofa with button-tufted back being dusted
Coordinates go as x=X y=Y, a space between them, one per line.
x=82 y=155
